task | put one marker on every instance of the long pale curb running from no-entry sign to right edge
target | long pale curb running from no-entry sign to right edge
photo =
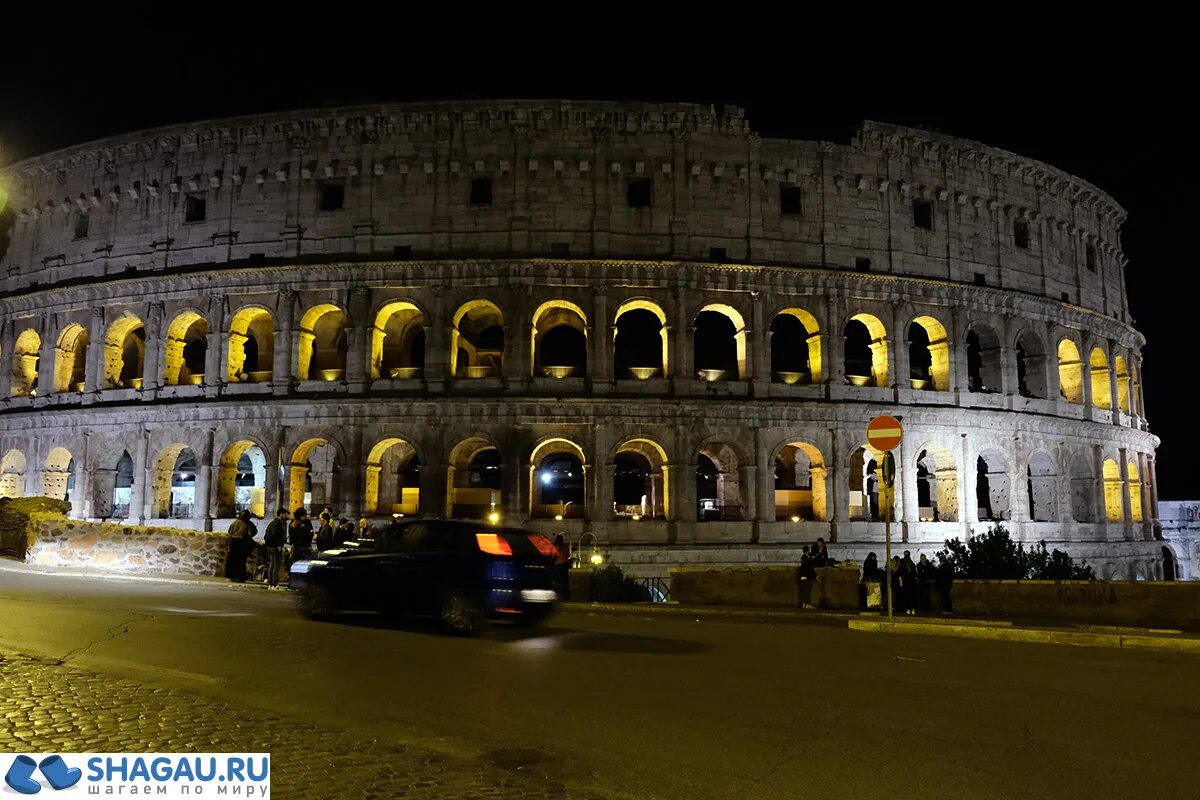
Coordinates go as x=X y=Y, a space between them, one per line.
x=1037 y=636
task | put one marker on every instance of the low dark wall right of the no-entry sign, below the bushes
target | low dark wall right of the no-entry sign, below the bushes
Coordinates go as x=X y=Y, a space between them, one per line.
x=1161 y=604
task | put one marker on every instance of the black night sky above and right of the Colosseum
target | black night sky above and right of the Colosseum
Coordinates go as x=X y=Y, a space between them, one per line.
x=1105 y=100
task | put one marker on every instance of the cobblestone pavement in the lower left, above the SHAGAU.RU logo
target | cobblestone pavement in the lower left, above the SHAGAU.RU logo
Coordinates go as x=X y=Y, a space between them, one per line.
x=51 y=707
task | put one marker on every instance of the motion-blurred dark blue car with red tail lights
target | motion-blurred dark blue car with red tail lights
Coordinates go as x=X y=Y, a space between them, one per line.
x=465 y=574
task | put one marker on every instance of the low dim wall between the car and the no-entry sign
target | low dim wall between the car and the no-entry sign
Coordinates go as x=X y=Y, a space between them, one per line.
x=835 y=587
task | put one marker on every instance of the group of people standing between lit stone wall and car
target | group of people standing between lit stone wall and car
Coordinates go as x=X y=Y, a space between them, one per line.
x=290 y=534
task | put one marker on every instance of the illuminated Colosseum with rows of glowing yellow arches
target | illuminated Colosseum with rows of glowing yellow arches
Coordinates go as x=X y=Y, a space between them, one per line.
x=637 y=321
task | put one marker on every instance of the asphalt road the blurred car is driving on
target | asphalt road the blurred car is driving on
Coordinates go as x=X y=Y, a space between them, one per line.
x=649 y=707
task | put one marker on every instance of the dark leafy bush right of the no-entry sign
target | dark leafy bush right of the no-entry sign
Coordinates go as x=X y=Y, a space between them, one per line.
x=995 y=556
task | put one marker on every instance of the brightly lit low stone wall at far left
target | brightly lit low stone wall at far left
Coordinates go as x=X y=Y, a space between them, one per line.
x=58 y=542
